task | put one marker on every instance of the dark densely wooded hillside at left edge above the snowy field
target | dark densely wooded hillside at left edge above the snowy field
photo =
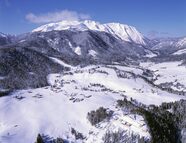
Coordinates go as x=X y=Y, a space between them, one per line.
x=25 y=68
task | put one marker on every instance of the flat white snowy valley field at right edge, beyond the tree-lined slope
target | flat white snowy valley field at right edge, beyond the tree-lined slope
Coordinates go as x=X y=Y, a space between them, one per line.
x=169 y=72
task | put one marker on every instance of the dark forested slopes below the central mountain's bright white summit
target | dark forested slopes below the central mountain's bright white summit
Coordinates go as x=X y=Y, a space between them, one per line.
x=90 y=45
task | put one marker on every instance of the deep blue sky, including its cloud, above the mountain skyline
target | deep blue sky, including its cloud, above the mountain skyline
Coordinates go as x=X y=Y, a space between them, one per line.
x=161 y=18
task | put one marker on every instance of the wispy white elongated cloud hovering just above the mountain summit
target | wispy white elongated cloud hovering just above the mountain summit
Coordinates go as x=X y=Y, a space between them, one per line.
x=56 y=16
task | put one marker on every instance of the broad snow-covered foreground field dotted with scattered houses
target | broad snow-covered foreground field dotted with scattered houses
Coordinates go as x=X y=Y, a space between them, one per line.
x=55 y=109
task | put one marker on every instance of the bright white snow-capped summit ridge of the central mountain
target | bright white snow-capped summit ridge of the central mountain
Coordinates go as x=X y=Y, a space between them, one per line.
x=121 y=31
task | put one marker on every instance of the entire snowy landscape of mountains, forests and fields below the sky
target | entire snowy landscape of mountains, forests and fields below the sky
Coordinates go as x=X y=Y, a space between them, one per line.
x=88 y=82
